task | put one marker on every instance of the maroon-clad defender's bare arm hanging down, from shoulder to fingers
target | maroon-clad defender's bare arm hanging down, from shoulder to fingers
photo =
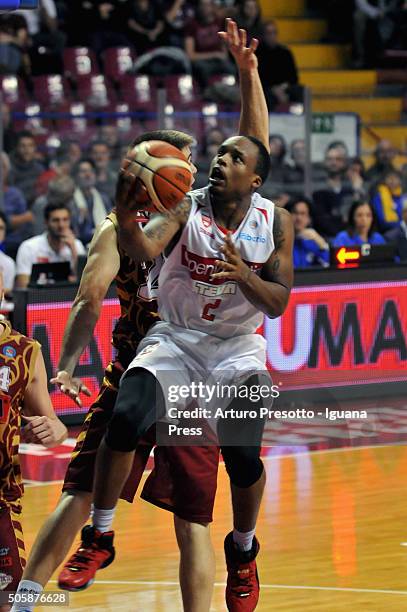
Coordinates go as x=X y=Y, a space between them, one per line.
x=101 y=268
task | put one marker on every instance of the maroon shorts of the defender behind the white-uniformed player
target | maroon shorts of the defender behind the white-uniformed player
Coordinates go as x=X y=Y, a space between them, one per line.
x=183 y=480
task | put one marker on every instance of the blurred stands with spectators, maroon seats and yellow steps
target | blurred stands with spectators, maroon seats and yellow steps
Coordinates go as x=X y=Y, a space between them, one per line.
x=80 y=78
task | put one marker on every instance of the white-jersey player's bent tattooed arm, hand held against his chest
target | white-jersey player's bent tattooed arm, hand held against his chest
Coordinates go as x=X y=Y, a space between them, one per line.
x=270 y=292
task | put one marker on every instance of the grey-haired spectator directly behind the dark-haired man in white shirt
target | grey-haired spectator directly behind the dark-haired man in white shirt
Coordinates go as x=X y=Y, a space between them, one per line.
x=60 y=191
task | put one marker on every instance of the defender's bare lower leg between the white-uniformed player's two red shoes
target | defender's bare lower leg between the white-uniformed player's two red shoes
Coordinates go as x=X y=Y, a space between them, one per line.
x=197 y=564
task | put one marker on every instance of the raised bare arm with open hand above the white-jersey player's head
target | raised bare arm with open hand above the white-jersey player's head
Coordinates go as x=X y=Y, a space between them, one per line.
x=254 y=116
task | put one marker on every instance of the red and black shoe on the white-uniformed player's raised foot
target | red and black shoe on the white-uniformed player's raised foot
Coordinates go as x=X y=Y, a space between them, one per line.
x=95 y=552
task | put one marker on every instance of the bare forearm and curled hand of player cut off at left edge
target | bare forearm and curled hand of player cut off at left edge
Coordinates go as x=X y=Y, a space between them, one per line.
x=43 y=426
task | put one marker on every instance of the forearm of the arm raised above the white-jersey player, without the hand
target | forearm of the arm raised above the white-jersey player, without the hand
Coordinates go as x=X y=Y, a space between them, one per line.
x=254 y=116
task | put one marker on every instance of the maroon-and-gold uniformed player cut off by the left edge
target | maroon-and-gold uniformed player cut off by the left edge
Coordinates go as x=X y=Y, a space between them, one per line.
x=24 y=399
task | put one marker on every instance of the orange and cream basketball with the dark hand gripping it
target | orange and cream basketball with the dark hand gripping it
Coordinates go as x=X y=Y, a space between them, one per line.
x=158 y=176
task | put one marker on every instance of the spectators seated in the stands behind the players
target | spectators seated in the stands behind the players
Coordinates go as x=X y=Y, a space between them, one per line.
x=52 y=201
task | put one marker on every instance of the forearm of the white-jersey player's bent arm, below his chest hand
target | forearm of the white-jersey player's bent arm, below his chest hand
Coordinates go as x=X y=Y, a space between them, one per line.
x=270 y=298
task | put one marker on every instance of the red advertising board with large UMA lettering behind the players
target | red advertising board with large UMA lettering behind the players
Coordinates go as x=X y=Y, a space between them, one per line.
x=330 y=335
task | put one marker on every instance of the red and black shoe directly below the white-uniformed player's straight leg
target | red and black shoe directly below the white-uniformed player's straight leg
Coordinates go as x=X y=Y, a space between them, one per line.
x=242 y=587
